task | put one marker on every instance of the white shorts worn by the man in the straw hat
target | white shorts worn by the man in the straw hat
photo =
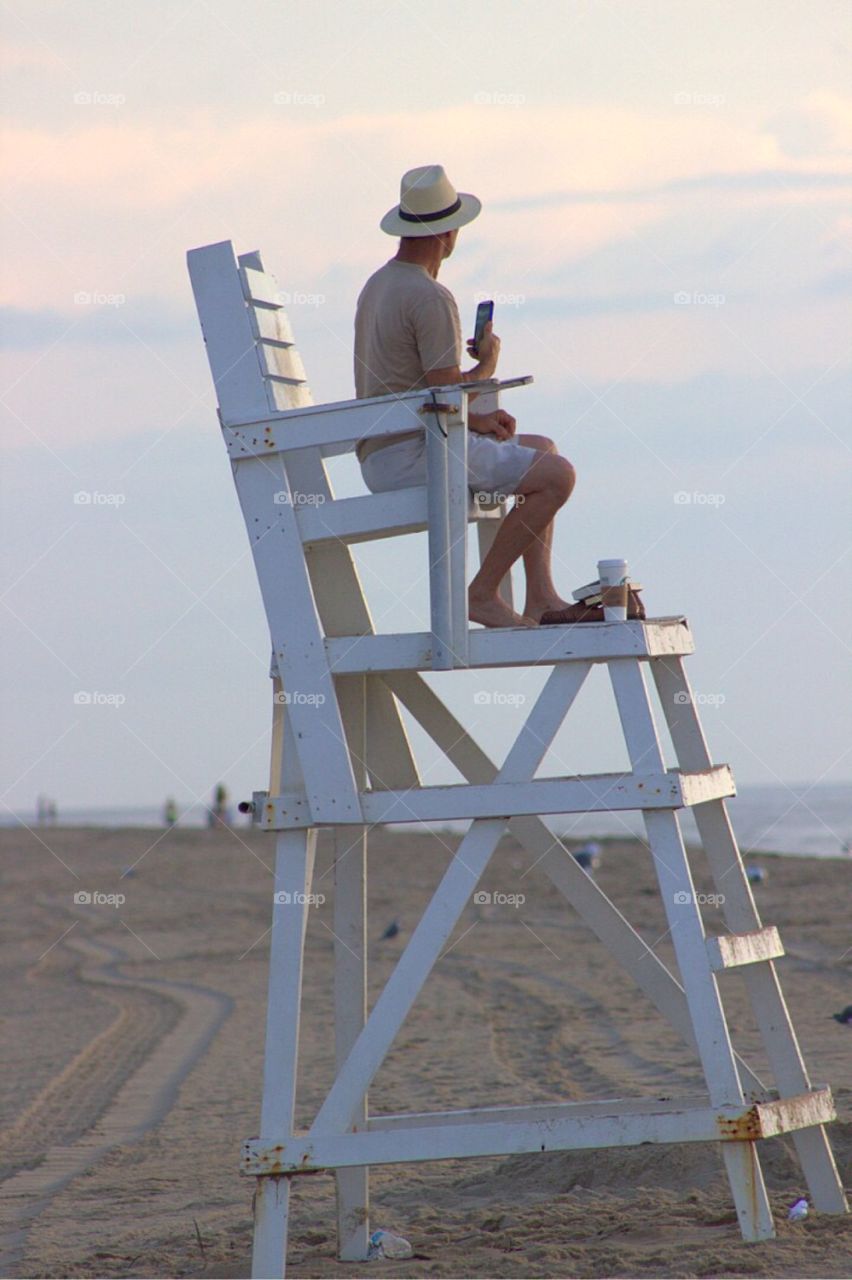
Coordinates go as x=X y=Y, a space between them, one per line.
x=494 y=468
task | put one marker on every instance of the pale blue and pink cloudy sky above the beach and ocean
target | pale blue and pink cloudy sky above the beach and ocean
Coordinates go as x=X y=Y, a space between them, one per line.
x=666 y=232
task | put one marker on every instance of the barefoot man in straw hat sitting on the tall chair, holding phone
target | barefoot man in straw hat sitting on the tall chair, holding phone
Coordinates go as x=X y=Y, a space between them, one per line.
x=407 y=336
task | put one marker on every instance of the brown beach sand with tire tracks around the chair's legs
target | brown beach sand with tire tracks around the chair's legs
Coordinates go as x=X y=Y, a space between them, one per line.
x=132 y=1046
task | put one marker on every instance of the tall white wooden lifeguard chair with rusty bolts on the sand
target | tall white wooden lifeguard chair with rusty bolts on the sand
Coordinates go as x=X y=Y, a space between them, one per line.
x=341 y=758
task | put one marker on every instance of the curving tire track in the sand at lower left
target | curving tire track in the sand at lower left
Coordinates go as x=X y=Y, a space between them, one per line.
x=112 y=1094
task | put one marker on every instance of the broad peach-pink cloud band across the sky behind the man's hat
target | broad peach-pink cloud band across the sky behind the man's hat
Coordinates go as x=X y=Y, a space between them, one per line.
x=109 y=191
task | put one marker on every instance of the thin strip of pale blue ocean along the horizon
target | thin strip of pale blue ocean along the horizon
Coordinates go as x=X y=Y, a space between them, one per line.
x=812 y=820
